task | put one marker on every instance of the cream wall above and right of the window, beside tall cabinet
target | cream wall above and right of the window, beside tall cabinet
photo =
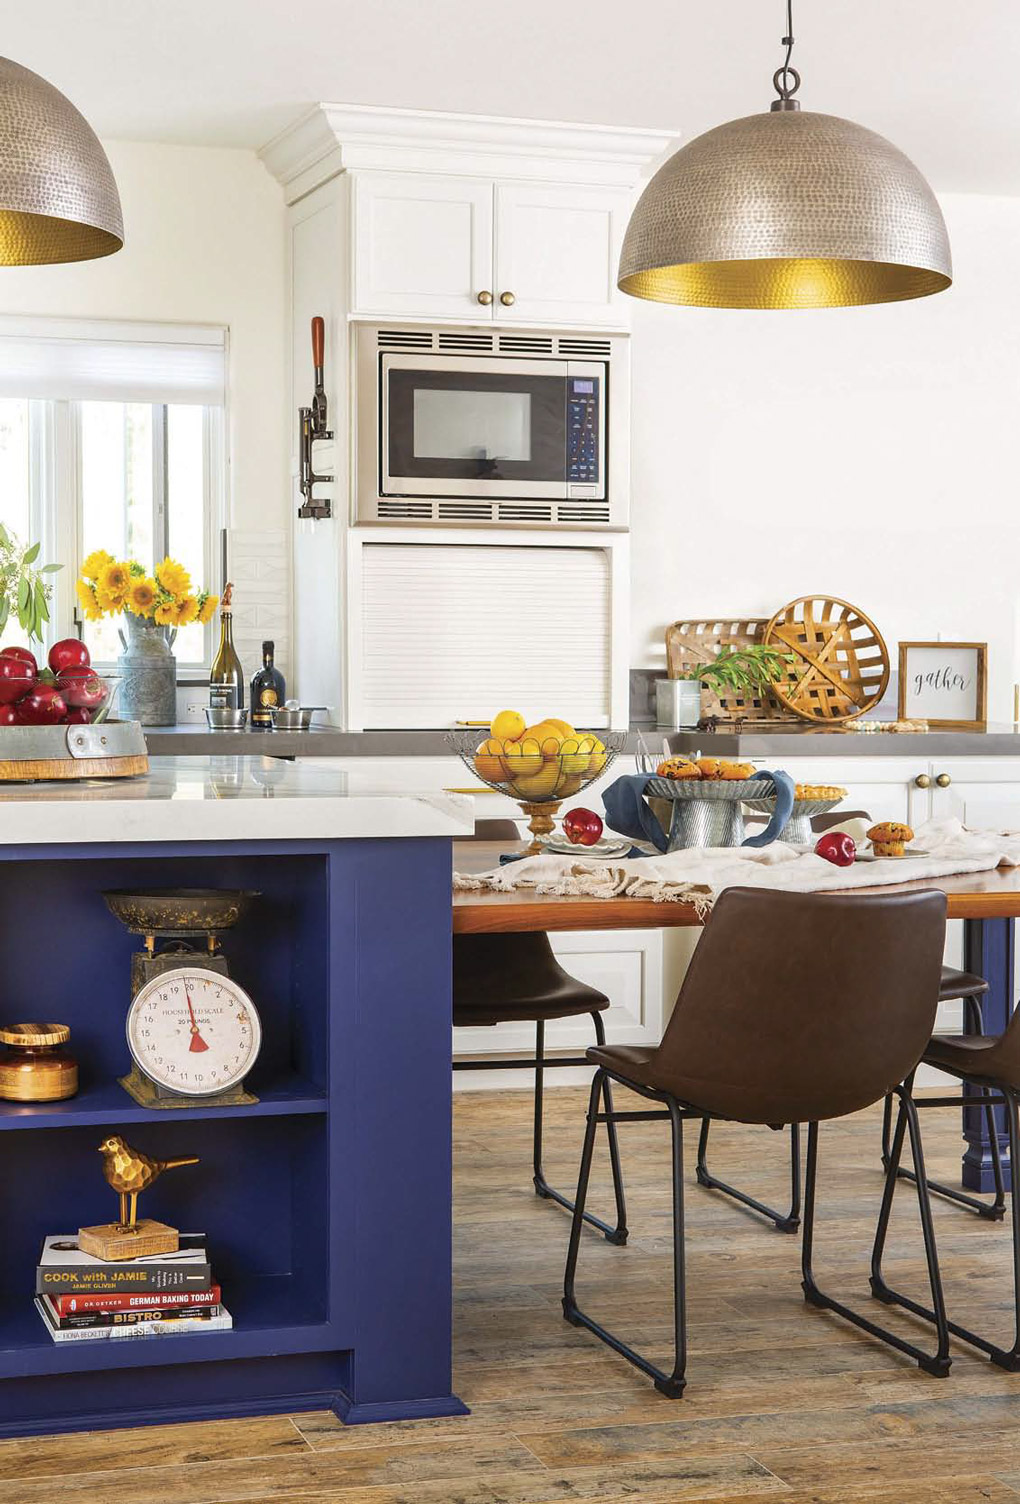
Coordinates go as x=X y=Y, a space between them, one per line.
x=204 y=244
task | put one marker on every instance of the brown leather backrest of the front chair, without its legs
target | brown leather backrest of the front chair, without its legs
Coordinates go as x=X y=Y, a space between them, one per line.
x=801 y=1007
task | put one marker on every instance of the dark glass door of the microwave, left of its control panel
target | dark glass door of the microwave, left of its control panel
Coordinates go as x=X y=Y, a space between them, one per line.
x=475 y=428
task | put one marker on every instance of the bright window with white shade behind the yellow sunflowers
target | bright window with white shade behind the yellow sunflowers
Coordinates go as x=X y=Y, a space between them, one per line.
x=112 y=438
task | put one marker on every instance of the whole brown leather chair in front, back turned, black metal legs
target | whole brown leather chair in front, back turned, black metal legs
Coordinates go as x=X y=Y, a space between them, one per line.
x=768 y=1031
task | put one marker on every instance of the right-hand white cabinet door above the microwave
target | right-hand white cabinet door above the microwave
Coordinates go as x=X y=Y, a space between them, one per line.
x=557 y=253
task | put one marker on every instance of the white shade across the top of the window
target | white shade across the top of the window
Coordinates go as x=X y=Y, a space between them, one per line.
x=87 y=360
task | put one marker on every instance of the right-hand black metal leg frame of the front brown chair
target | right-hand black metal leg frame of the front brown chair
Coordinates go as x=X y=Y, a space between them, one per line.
x=937 y=1363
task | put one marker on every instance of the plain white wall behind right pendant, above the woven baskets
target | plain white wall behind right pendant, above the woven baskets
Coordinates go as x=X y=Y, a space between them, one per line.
x=870 y=453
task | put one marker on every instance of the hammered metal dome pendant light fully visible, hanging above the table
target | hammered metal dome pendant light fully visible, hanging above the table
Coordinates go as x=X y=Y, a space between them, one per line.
x=788 y=210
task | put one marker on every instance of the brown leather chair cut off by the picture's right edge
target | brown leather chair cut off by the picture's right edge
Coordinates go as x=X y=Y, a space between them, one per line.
x=992 y=1066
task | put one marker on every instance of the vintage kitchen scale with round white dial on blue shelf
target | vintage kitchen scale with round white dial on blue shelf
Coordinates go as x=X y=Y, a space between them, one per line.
x=193 y=1032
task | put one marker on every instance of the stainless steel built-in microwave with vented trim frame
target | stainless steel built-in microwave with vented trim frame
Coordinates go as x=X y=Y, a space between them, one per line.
x=493 y=428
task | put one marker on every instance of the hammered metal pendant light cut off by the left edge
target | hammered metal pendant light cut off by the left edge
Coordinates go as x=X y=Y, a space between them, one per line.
x=58 y=196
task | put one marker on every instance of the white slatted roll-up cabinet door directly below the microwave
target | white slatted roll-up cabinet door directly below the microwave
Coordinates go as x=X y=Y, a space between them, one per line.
x=463 y=631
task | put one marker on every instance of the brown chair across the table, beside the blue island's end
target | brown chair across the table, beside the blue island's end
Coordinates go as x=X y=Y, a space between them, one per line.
x=514 y=978
